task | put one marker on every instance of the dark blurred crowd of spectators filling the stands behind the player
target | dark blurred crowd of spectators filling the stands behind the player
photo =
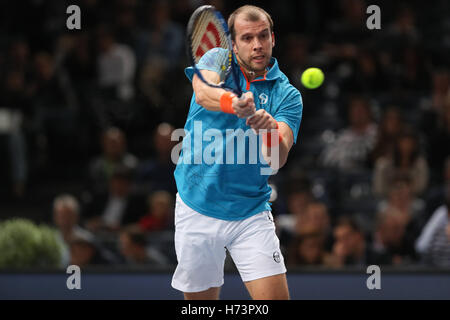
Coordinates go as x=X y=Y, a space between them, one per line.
x=86 y=118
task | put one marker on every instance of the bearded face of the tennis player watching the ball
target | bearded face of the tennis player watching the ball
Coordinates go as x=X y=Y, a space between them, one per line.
x=253 y=43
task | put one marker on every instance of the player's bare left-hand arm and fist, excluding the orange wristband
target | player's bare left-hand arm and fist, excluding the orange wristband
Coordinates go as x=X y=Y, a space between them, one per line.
x=210 y=98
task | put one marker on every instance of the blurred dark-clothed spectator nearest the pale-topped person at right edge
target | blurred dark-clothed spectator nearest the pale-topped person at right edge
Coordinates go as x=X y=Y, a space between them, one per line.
x=390 y=238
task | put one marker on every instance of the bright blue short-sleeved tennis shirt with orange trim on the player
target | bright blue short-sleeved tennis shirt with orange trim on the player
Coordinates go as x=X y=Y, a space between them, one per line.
x=218 y=173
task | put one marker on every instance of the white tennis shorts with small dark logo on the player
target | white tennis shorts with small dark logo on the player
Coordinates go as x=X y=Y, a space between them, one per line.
x=200 y=243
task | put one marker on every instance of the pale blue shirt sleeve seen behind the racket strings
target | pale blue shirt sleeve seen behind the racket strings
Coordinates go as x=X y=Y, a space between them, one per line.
x=213 y=60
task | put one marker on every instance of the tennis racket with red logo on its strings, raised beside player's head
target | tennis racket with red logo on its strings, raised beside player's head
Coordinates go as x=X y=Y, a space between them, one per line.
x=207 y=30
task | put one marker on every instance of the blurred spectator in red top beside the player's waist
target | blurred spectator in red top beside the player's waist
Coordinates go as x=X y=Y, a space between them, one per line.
x=160 y=212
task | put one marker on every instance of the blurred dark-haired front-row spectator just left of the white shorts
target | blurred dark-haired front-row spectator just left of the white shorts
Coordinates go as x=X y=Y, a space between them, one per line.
x=136 y=251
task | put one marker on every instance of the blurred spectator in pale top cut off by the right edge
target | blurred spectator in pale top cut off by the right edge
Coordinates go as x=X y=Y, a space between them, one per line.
x=433 y=244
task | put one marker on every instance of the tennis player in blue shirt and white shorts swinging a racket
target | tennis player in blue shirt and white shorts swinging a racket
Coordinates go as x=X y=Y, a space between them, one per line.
x=223 y=206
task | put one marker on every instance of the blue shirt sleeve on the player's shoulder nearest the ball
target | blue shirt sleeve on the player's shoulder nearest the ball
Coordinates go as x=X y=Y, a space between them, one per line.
x=290 y=111
